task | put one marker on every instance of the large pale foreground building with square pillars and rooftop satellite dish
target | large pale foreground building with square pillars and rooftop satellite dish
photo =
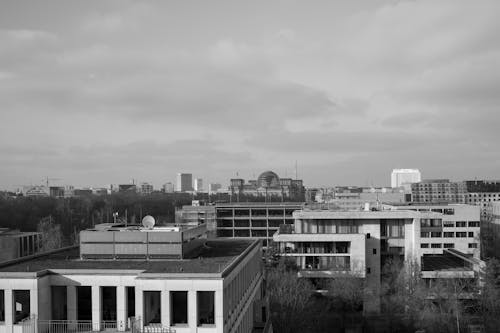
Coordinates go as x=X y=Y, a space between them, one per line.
x=130 y=279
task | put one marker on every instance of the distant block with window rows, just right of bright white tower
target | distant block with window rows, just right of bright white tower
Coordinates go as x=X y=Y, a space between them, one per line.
x=438 y=191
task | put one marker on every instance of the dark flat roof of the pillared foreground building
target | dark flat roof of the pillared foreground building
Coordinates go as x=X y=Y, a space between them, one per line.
x=214 y=257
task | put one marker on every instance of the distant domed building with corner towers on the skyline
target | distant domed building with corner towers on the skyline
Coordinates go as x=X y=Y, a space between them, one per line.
x=268 y=185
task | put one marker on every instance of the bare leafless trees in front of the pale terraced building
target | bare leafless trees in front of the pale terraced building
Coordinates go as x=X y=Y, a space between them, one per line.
x=407 y=302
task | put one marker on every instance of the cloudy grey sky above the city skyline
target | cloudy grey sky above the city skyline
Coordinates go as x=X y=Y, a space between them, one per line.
x=101 y=92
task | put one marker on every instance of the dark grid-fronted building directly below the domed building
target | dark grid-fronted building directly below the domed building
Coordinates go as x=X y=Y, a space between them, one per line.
x=253 y=219
